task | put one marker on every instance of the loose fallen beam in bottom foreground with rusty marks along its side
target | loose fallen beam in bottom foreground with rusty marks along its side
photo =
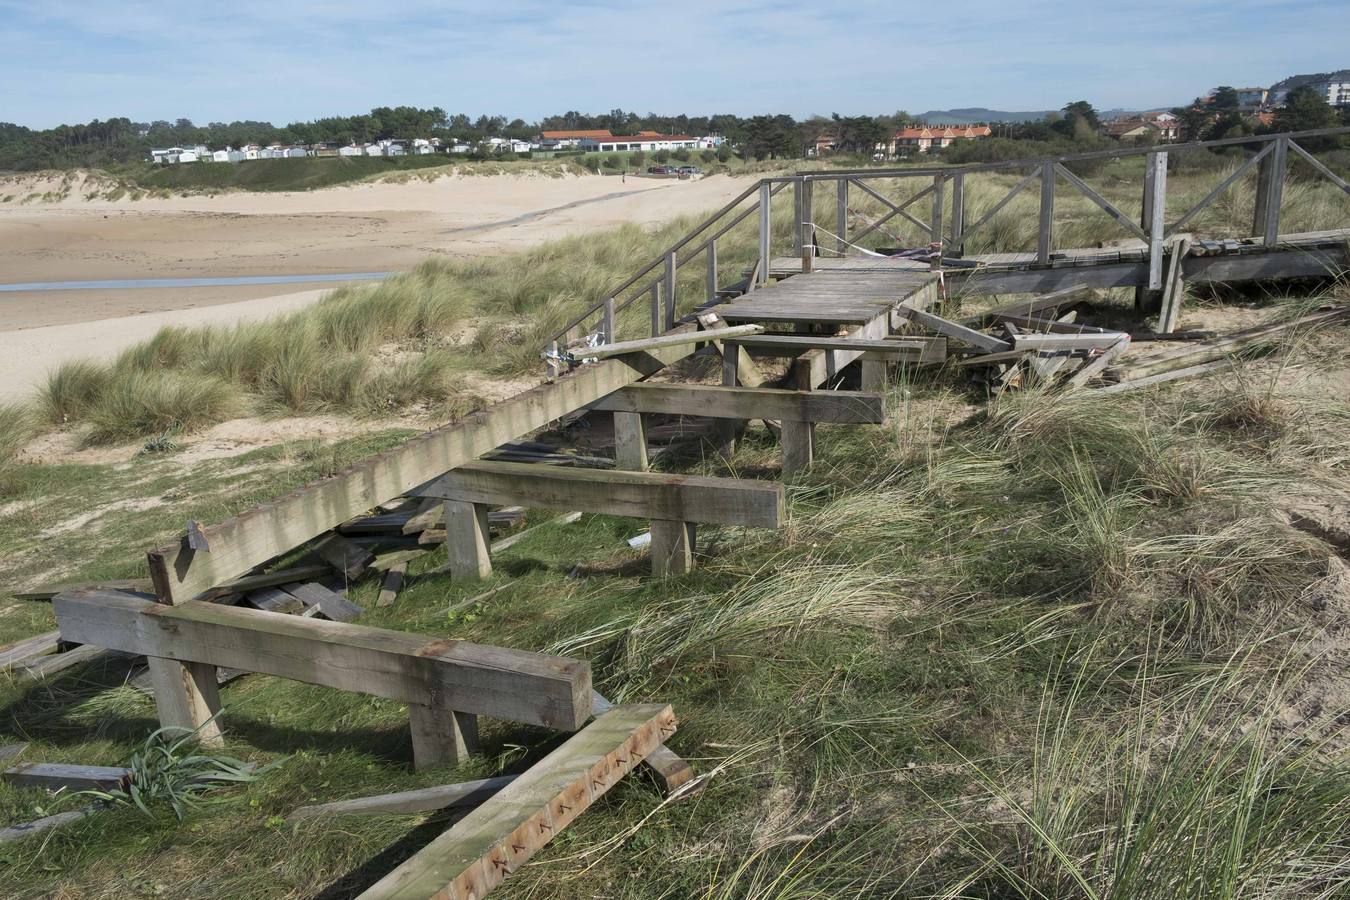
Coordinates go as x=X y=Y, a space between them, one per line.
x=479 y=852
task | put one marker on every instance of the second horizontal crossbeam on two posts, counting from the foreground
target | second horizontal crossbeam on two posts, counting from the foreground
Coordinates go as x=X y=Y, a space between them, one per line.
x=688 y=499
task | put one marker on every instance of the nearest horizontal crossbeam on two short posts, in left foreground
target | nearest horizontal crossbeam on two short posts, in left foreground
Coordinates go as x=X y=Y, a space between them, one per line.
x=524 y=687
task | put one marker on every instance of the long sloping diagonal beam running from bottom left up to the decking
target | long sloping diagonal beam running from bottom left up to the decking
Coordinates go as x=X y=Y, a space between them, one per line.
x=263 y=534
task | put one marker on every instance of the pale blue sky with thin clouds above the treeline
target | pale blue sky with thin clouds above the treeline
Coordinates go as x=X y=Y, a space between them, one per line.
x=281 y=61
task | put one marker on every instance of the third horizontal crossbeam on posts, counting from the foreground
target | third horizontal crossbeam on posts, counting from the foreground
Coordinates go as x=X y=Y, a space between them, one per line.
x=718 y=401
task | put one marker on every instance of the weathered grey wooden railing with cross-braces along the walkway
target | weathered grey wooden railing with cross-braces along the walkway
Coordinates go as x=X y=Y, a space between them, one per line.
x=944 y=190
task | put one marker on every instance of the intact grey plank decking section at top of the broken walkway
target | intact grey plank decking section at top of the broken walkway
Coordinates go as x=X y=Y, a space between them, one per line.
x=838 y=298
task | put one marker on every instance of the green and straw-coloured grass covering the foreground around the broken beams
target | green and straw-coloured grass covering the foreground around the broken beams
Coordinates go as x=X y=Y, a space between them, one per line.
x=1058 y=647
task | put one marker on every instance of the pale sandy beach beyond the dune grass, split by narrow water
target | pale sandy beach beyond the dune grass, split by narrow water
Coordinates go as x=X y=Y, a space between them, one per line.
x=368 y=227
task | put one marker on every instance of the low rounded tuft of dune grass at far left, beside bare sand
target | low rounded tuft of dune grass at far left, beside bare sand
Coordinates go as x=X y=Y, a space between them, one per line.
x=140 y=404
